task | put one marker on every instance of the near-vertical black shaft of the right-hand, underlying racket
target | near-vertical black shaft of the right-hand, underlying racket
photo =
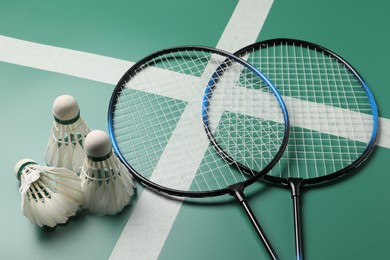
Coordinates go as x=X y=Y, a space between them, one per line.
x=295 y=185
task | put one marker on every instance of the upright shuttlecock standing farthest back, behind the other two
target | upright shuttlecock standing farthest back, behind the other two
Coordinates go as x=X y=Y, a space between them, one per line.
x=65 y=145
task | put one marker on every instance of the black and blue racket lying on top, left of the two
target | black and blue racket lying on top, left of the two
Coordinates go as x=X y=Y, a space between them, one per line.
x=157 y=118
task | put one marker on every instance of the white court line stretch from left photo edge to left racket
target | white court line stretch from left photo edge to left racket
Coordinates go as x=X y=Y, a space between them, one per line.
x=70 y=62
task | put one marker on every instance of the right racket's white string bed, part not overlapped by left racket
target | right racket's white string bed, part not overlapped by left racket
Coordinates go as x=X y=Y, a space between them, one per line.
x=330 y=114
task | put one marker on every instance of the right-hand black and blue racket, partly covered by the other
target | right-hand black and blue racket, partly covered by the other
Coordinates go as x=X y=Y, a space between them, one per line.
x=333 y=115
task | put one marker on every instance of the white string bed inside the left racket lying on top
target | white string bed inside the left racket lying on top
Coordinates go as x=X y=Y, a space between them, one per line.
x=156 y=97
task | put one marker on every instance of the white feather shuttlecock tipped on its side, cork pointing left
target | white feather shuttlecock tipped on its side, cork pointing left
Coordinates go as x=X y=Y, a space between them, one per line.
x=50 y=195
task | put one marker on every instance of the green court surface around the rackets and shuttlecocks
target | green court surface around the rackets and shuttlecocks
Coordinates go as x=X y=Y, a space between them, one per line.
x=82 y=48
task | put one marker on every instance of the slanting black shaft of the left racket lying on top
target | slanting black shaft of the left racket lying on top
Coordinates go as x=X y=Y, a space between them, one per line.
x=237 y=192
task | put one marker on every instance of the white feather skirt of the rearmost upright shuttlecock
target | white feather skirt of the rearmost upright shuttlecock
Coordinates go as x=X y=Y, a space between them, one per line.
x=65 y=145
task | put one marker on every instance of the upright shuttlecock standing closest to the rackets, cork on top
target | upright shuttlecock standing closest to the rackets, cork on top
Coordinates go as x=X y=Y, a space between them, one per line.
x=105 y=181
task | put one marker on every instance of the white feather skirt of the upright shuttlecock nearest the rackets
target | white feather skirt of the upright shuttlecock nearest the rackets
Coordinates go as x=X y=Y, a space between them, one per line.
x=107 y=186
